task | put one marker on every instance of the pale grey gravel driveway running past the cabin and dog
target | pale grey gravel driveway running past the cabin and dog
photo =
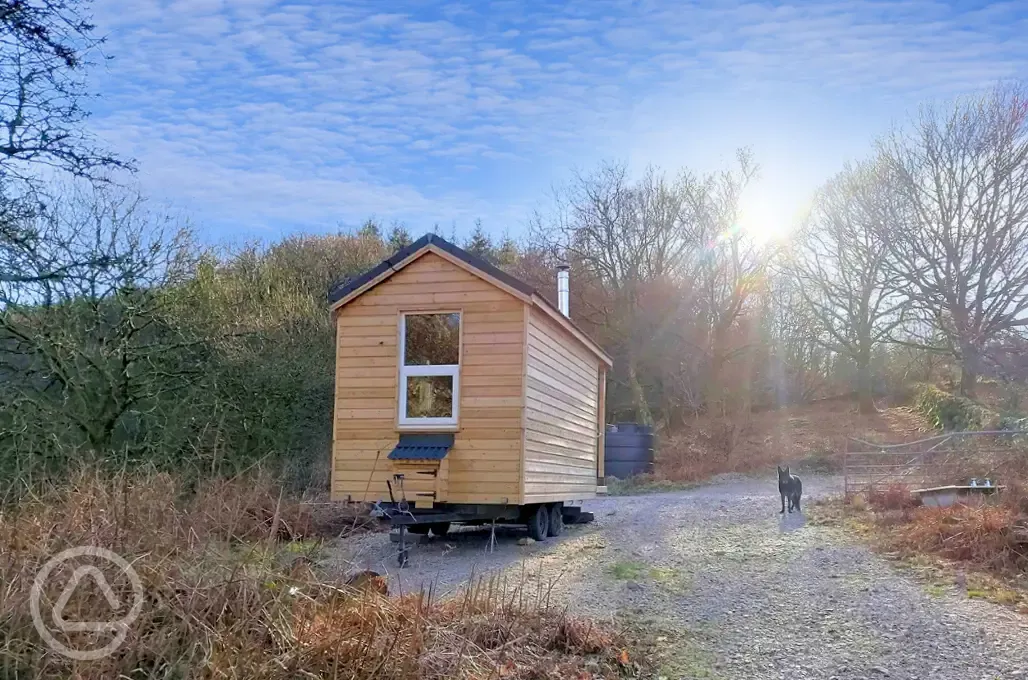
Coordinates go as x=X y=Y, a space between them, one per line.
x=731 y=590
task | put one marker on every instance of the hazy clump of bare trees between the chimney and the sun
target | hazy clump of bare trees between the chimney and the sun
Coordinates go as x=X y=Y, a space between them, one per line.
x=675 y=276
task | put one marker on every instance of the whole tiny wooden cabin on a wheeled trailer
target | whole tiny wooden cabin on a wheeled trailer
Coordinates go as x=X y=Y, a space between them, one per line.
x=465 y=381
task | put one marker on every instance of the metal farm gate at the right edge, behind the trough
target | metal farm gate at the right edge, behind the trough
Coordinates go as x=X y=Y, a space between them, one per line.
x=935 y=461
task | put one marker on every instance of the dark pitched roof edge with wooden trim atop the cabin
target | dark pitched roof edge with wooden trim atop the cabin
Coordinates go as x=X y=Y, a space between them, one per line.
x=359 y=285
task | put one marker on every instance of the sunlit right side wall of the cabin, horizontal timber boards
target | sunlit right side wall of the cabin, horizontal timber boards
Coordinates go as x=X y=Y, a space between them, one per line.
x=562 y=408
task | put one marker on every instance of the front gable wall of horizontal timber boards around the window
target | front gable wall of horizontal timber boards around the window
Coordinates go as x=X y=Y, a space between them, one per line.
x=485 y=466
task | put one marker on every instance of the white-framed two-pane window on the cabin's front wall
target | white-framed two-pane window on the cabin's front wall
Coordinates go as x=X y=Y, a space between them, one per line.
x=430 y=369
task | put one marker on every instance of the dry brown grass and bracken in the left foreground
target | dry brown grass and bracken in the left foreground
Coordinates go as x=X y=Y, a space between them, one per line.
x=226 y=597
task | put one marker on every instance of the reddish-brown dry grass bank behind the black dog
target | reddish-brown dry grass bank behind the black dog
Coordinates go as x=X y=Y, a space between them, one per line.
x=811 y=437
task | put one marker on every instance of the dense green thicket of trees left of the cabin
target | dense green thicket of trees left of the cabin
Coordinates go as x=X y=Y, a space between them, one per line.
x=207 y=369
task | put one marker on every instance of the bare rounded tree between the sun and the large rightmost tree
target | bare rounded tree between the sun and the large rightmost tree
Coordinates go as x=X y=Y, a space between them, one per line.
x=843 y=270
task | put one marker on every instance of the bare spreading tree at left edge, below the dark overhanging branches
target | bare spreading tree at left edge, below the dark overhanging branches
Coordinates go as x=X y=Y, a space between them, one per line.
x=86 y=349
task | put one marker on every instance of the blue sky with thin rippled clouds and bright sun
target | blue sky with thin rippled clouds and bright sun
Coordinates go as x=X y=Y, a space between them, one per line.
x=260 y=119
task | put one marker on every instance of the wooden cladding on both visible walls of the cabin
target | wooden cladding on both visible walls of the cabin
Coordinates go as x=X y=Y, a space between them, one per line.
x=530 y=412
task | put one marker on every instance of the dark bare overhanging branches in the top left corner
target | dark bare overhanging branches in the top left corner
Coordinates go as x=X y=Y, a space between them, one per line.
x=45 y=49
